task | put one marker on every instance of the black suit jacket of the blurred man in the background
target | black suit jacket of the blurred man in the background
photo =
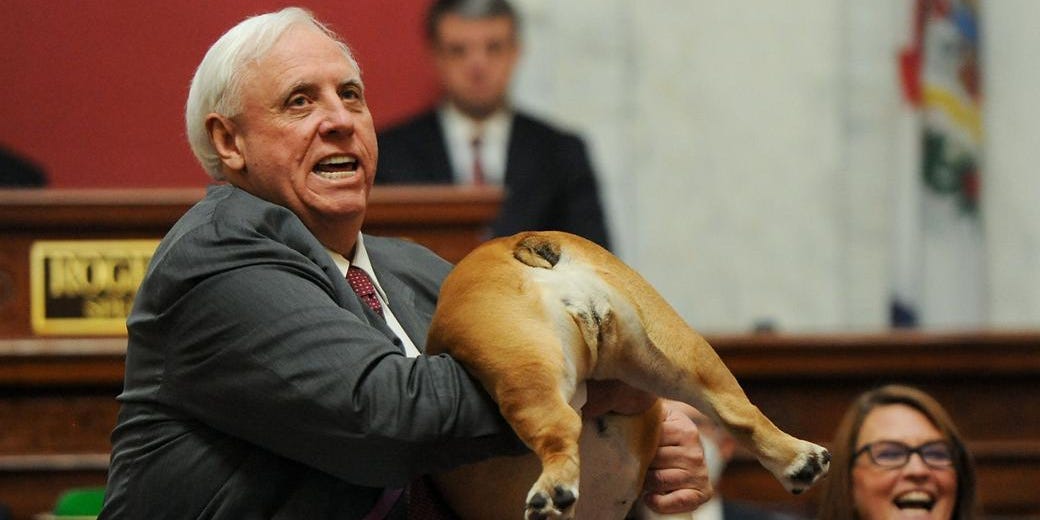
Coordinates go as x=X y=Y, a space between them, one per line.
x=550 y=183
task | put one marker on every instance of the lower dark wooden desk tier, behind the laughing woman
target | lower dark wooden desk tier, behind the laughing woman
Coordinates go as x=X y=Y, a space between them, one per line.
x=58 y=406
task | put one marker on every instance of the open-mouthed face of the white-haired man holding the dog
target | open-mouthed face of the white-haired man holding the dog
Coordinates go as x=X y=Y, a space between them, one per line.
x=305 y=139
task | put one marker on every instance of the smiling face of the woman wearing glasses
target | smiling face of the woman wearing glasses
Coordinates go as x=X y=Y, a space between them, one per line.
x=913 y=491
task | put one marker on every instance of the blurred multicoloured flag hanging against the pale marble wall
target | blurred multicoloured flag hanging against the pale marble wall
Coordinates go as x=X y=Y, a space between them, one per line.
x=940 y=277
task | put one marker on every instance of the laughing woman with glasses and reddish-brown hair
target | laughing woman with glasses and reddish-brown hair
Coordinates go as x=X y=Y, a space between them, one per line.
x=897 y=454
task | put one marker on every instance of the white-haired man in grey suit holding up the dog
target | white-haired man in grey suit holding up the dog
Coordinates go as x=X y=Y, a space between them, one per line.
x=259 y=382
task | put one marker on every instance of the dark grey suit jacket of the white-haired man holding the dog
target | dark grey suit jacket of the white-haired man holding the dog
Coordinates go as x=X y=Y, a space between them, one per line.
x=259 y=386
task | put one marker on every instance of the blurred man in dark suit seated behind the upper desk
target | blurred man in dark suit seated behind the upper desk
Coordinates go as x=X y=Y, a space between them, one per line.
x=476 y=138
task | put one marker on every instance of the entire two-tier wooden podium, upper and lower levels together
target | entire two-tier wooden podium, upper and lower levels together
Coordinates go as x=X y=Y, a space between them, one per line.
x=58 y=393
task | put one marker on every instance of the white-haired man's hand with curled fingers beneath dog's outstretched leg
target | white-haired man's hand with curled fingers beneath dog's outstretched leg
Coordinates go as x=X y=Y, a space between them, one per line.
x=678 y=481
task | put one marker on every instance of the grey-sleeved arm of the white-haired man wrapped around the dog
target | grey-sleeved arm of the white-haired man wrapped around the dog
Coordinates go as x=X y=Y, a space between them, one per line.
x=267 y=356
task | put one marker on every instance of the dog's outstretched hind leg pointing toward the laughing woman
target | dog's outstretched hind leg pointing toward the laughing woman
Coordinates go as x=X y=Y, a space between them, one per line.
x=654 y=349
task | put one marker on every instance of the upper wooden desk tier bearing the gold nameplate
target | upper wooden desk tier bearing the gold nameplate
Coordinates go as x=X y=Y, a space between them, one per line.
x=451 y=221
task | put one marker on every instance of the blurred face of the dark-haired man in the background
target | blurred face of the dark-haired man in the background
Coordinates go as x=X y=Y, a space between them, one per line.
x=476 y=59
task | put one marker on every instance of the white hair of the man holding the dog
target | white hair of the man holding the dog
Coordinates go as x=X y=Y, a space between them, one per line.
x=217 y=86
